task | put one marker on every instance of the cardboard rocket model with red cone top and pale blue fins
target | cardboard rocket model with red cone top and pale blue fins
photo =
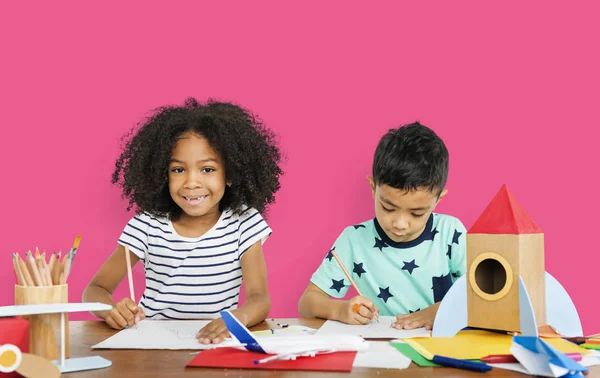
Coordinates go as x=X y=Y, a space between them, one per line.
x=506 y=287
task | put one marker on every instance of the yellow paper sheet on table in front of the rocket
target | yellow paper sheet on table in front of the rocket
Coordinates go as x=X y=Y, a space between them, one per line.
x=476 y=344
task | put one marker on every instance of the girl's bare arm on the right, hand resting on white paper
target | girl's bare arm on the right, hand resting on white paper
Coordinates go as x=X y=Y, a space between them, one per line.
x=257 y=303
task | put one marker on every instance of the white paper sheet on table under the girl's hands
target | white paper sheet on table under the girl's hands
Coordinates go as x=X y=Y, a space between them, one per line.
x=158 y=334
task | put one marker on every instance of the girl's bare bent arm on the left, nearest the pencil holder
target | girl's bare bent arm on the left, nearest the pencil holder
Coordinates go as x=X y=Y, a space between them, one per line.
x=106 y=280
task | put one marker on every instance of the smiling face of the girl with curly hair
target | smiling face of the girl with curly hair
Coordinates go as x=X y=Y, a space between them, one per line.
x=196 y=176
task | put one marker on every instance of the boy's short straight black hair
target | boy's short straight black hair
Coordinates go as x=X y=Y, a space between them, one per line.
x=410 y=157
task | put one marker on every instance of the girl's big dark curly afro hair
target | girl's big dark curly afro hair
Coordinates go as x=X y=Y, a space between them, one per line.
x=248 y=150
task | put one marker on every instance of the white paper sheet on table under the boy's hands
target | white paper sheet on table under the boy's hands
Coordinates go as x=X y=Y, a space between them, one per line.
x=375 y=330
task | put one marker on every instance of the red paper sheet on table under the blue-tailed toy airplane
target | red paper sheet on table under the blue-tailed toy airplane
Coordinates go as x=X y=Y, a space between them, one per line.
x=236 y=358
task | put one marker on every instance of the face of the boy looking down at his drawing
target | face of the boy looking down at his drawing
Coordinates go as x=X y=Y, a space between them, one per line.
x=403 y=214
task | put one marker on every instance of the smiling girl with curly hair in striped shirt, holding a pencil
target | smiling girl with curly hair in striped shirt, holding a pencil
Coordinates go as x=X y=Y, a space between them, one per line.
x=199 y=176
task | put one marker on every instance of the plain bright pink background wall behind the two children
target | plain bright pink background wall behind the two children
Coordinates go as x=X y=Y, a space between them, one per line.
x=512 y=87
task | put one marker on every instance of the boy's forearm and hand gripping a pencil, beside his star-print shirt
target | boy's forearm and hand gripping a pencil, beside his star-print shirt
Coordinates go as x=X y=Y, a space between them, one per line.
x=316 y=303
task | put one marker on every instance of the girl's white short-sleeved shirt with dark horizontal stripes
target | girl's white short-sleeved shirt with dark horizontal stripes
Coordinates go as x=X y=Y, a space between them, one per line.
x=192 y=278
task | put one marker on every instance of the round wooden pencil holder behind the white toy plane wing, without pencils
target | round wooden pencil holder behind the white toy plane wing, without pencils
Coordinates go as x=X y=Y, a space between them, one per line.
x=45 y=330
